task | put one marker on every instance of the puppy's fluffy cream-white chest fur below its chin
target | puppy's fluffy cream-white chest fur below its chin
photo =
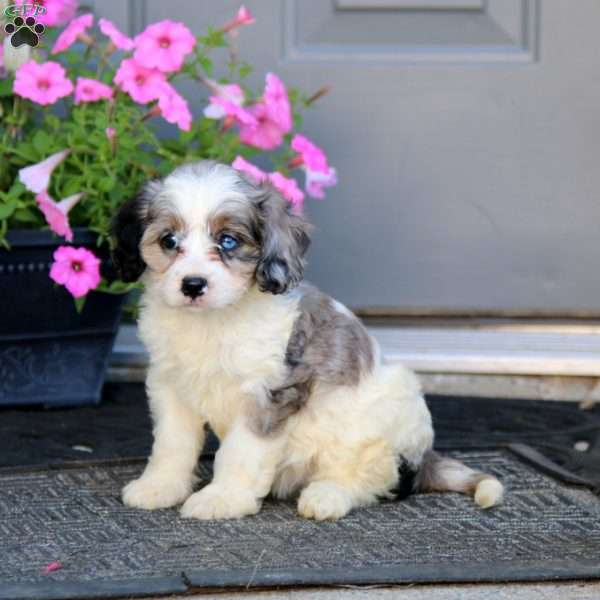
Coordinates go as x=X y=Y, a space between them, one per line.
x=220 y=360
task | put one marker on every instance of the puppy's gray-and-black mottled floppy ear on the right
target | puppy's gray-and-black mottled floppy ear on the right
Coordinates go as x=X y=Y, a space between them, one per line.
x=285 y=240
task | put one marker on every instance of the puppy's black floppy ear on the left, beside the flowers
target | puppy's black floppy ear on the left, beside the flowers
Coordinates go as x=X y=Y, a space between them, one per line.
x=128 y=228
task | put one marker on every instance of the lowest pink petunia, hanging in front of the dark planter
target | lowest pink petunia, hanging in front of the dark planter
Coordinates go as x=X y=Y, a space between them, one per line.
x=78 y=269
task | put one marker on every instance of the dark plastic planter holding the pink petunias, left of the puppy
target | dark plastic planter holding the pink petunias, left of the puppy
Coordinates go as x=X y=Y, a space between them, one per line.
x=50 y=354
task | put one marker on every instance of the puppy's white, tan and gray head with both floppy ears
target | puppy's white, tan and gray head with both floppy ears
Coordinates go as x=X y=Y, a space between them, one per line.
x=205 y=235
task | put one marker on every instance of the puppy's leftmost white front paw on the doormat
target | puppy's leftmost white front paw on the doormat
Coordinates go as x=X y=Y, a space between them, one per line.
x=155 y=491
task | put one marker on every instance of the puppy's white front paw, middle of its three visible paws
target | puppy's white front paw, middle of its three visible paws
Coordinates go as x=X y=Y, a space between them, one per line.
x=219 y=502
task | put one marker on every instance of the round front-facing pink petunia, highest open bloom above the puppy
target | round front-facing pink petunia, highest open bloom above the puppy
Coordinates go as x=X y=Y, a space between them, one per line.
x=164 y=46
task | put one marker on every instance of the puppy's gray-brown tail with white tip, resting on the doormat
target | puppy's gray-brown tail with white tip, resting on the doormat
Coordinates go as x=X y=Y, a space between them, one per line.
x=440 y=474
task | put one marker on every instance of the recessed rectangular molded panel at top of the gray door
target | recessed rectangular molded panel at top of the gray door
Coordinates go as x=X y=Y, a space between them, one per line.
x=408 y=31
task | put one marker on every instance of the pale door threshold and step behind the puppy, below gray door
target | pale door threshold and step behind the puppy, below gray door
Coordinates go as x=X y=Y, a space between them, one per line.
x=510 y=361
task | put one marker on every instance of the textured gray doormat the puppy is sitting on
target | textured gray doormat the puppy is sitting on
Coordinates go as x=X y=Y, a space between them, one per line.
x=544 y=530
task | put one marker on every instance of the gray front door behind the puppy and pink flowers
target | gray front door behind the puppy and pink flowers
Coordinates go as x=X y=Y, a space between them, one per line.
x=466 y=134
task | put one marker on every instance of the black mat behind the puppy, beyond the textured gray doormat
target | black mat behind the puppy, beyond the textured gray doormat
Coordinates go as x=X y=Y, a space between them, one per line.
x=120 y=428
